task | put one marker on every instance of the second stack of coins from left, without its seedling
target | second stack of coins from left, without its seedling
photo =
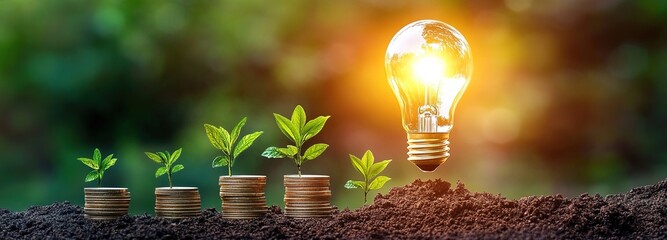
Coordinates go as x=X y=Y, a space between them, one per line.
x=177 y=202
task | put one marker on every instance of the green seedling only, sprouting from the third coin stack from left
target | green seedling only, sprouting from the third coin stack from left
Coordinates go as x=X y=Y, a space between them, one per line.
x=226 y=142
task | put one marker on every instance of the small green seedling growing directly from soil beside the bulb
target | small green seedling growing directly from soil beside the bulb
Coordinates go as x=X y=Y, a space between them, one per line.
x=370 y=171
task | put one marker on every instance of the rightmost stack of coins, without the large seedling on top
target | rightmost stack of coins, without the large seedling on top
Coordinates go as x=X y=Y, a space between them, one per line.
x=307 y=196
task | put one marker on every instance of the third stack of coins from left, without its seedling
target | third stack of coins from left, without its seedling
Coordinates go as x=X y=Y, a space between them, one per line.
x=243 y=196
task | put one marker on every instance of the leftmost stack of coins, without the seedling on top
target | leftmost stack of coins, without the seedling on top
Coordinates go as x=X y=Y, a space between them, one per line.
x=106 y=203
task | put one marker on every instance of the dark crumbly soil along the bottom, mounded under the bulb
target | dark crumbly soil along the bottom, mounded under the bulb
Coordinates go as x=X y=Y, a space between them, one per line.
x=423 y=209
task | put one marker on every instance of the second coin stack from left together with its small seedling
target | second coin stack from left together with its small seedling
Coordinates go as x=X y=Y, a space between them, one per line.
x=174 y=202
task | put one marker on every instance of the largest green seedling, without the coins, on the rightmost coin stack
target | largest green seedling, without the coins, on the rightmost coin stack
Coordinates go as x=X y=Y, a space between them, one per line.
x=298 y=131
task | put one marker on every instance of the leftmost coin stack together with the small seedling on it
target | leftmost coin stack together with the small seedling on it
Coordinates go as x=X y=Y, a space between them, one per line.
x=103 y=203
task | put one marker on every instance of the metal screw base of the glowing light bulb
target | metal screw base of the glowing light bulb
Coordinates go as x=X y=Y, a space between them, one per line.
x=428 y=150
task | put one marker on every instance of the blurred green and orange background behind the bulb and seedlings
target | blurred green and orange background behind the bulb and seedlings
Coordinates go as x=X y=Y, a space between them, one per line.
x=566 y=96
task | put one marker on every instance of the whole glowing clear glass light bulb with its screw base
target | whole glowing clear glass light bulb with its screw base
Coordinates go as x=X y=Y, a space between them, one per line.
x=428 y=66
